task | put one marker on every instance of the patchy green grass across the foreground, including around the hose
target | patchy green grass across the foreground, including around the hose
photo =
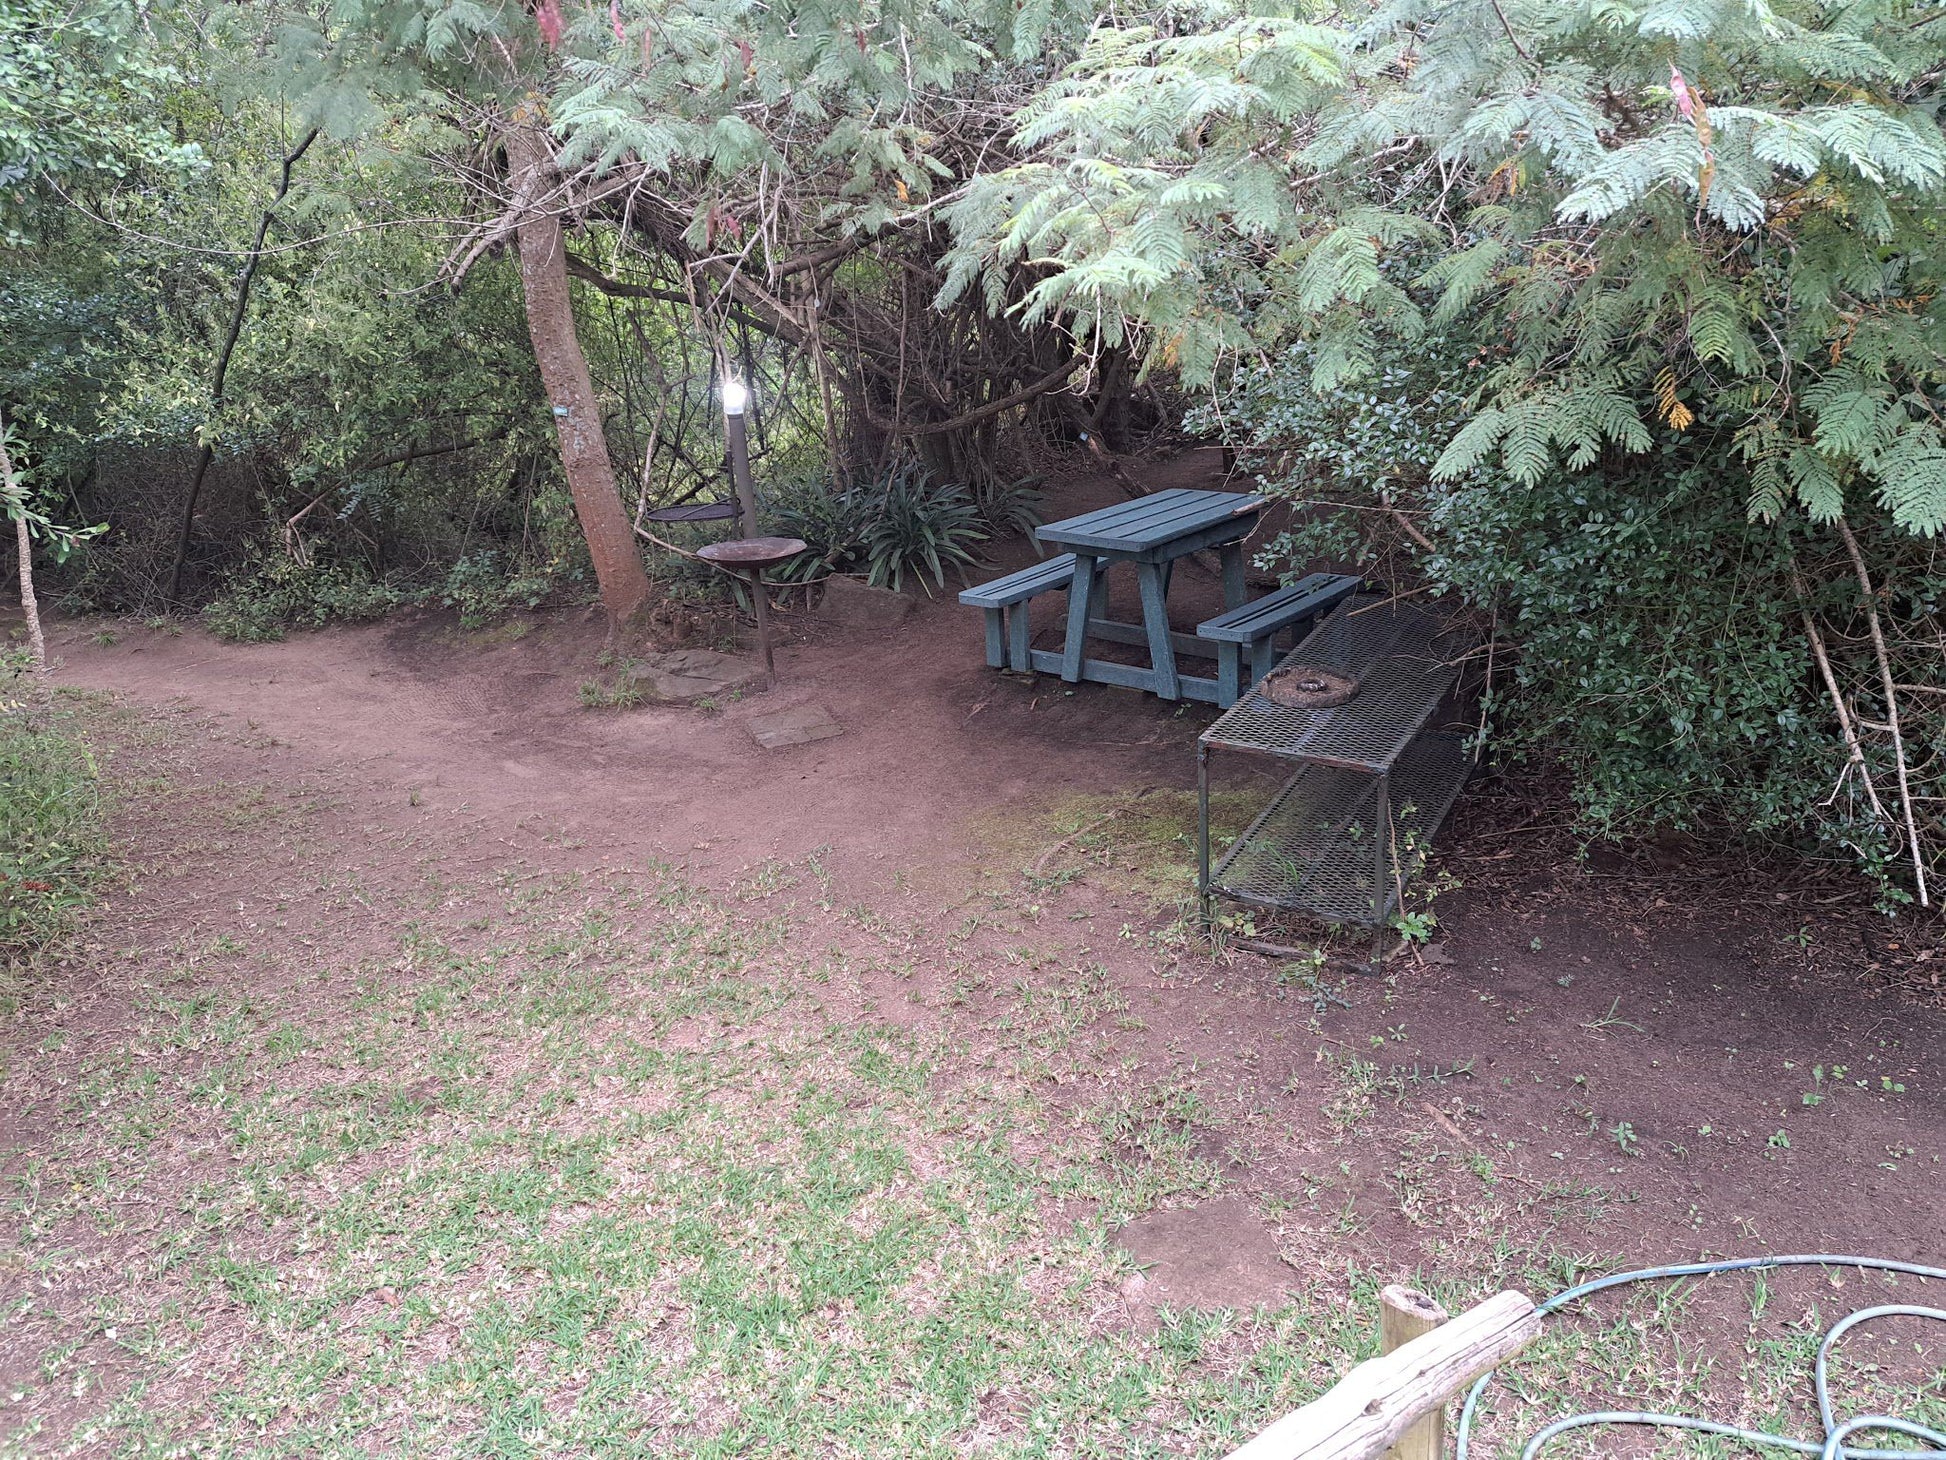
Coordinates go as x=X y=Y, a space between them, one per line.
x=596 y=1165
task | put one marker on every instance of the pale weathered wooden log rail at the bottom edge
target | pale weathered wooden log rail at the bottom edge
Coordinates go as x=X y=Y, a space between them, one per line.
x=1371 y=1410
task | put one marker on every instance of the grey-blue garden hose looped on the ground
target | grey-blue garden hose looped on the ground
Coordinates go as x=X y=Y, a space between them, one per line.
x=1836 y=1432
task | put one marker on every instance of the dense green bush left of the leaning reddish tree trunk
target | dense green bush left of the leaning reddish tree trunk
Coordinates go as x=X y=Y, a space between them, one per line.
x=371 y=421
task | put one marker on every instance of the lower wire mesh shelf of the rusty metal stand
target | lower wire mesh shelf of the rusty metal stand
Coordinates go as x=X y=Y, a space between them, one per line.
x=1313 y=850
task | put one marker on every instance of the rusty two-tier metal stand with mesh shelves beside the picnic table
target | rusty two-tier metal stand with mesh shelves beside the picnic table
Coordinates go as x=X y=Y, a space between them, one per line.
x=1365 y=766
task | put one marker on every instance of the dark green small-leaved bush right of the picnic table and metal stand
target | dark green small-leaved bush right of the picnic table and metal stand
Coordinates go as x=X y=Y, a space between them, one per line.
x=1655 y=632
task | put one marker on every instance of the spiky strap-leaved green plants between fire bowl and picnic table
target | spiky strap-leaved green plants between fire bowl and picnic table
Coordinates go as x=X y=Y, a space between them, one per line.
x=890 y=529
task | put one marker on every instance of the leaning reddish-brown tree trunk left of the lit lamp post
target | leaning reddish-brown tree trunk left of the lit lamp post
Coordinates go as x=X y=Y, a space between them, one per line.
x=558 y=349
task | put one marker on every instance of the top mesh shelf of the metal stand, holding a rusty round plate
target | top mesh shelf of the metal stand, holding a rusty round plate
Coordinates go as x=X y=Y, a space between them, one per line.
x=1404 y=663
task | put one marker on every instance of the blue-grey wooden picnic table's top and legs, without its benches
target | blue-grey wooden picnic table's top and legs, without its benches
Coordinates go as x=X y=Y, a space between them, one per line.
x=1151 y=534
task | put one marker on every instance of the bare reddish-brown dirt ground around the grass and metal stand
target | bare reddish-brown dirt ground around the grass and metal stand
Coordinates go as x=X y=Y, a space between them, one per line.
x=1643 y=1062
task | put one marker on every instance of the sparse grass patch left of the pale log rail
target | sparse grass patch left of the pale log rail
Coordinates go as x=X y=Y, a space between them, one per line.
x=618 y=1183
